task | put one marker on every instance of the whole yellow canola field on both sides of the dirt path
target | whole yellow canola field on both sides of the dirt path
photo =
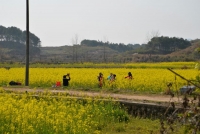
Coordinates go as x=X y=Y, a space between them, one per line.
x=45 y=113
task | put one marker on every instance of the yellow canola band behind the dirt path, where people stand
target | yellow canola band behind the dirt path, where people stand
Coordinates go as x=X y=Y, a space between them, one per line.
x=145 y=80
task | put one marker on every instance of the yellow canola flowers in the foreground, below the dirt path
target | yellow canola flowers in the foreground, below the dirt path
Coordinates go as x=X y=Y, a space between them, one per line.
x=44 y=113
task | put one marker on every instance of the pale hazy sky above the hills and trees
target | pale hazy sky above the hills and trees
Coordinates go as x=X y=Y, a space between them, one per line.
x=65 y=22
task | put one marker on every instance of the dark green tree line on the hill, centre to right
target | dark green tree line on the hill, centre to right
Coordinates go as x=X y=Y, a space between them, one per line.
x=157 y=45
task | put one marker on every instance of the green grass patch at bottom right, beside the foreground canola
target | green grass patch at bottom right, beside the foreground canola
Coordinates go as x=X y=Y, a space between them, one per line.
x=140 y=126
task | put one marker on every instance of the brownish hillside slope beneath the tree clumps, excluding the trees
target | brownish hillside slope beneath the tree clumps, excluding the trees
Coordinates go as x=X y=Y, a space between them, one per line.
x=15 y=52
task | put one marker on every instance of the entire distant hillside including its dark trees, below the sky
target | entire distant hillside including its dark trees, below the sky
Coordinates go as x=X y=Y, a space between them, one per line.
x=162 y=48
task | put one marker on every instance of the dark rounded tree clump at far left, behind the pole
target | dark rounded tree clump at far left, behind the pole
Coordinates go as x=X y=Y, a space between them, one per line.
x=14 y=34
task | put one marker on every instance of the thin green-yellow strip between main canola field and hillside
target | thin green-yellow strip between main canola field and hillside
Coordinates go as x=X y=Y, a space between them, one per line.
x=174 y=65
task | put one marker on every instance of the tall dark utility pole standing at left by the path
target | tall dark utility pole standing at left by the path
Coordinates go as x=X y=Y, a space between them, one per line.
x=27 y=44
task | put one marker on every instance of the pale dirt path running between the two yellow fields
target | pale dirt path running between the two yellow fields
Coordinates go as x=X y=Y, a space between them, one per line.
x=132 y=97
